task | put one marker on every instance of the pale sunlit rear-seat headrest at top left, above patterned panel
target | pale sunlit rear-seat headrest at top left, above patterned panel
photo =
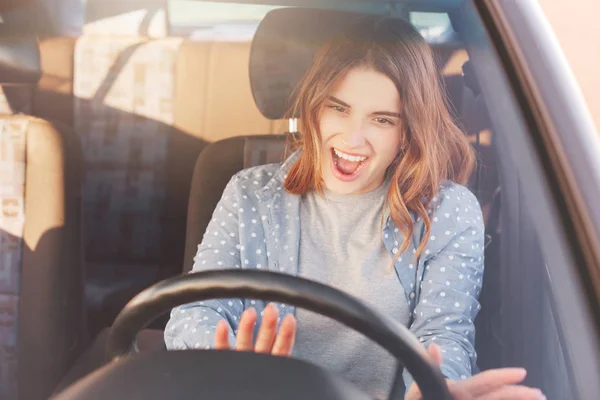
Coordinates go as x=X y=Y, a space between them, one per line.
x=126 y=18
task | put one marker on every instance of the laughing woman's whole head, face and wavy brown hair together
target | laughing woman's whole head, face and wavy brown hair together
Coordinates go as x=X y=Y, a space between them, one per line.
x=355 y=80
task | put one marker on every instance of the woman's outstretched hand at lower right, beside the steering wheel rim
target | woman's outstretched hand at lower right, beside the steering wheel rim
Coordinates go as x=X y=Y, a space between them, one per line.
x=494 y=384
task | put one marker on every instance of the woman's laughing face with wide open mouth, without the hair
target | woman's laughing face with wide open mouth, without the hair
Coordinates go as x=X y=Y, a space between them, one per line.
x=361 y=131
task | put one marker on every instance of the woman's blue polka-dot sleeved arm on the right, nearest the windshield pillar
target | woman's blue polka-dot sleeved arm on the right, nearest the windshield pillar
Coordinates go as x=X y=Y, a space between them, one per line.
x=450 y=284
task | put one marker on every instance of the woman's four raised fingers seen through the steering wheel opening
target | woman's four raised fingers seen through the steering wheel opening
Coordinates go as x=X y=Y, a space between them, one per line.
x=268 y=341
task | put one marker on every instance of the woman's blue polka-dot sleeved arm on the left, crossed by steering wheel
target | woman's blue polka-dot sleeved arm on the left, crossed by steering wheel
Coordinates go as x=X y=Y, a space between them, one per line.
x=193 y=325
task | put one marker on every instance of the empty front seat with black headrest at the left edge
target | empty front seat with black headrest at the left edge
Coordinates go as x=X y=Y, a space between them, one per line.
x=42 y=326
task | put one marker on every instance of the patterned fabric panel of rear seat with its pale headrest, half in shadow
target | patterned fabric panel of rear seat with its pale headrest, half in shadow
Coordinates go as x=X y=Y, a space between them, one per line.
x=124 y=80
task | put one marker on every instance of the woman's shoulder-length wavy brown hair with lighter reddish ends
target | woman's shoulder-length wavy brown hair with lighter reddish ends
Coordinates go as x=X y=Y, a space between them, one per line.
x=434 y=148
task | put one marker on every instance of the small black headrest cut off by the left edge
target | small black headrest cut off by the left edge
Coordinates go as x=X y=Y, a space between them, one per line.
x=19 y=60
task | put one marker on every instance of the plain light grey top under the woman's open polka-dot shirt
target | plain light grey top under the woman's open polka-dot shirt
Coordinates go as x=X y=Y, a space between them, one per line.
x=341 y=245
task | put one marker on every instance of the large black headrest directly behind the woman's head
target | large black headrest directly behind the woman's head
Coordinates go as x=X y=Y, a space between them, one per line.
x=283 y=49
